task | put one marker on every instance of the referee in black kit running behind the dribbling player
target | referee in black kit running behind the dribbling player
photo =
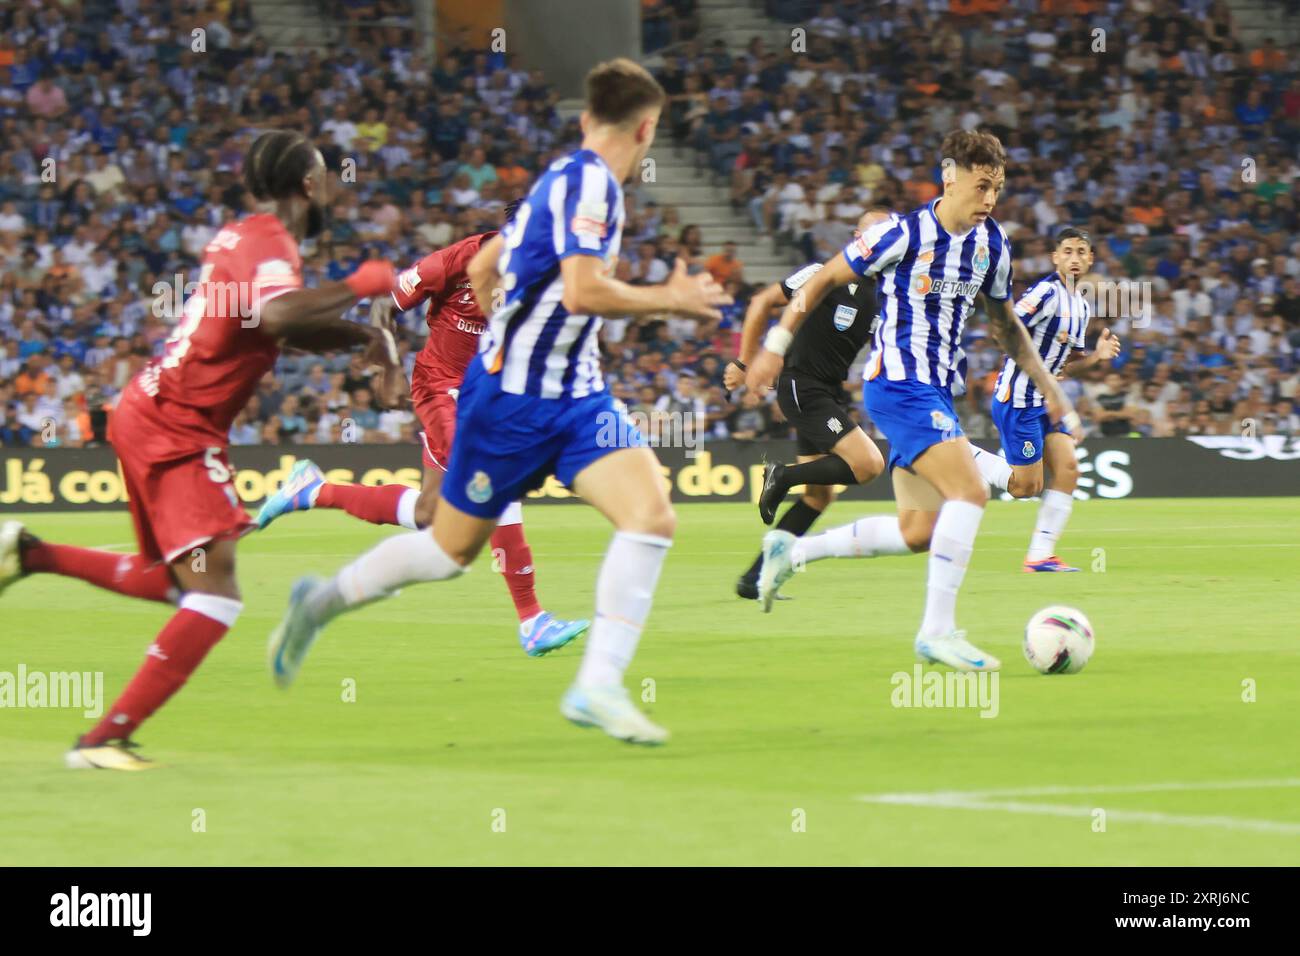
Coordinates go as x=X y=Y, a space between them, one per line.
x=811 y=392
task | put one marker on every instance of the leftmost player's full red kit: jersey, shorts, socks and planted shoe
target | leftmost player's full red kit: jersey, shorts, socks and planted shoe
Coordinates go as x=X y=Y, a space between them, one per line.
x=171 y=431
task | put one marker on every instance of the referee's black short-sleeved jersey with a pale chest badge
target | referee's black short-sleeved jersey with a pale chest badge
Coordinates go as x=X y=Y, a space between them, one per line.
x=833 y=336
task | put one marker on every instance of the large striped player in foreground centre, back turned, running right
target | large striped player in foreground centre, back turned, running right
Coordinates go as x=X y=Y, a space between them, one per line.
x=534 y=404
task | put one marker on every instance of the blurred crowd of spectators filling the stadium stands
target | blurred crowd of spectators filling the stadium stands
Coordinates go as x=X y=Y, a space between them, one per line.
x=1173 y=145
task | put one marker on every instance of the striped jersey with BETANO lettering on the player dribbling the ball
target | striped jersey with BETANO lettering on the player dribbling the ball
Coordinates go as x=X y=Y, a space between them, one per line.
x=929 y=283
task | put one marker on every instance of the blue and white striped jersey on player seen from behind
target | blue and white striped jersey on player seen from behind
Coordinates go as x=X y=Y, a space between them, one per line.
x=532 y=341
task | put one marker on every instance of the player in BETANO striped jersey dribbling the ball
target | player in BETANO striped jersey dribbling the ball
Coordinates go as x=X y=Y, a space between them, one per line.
x=931 y=266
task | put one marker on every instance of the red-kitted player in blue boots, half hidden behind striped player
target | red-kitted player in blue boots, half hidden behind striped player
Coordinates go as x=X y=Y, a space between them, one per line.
x=456 y=323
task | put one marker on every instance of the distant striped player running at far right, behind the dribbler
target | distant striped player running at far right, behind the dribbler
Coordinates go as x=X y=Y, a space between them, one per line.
x=1056 y=315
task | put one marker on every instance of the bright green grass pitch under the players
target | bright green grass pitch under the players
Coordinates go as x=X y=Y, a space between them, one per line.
x=454 y=752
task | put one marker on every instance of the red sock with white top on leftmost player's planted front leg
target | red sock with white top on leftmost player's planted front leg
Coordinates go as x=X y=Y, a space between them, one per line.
x=181 y=646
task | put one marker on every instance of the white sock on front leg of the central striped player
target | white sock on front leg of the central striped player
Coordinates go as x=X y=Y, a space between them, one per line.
x=625 y=591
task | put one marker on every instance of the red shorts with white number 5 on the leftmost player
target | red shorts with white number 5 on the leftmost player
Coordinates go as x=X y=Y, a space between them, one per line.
x=177 y=503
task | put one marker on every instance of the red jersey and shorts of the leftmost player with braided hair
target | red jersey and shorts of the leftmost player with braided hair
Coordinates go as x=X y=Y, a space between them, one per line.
x=172 y=426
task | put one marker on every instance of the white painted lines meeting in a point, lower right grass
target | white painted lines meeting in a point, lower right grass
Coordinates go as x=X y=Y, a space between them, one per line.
x=983 y=801
